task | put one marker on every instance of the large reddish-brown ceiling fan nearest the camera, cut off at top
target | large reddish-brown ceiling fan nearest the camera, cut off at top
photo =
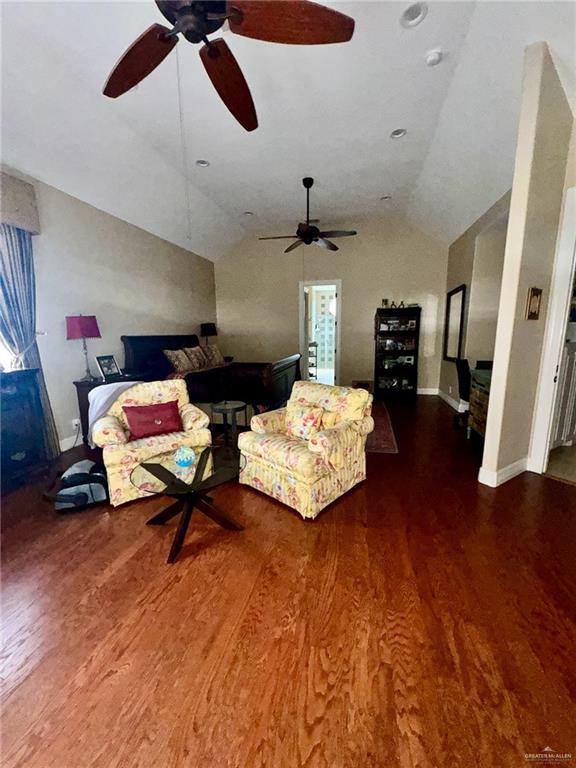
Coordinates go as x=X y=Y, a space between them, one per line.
x=298 y=22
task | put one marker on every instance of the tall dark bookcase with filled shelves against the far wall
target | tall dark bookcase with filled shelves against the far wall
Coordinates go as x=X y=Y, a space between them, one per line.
x=396 y=343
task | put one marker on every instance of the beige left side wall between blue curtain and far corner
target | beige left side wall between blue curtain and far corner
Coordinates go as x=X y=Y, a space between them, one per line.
x=92 y=263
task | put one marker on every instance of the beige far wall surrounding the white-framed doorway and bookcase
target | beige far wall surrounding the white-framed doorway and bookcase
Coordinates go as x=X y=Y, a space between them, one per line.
x=257 y=293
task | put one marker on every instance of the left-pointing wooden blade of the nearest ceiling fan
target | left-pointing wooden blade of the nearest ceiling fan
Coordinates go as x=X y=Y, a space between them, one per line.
x=143 y=56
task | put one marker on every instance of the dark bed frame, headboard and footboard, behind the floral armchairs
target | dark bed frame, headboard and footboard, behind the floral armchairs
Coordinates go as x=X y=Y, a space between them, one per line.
x=264 y=386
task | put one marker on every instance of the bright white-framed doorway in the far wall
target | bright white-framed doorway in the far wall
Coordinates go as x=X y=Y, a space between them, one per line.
x=320 y=330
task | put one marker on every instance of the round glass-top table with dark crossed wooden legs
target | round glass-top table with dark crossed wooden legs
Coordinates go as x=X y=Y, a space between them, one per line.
x=189 y=486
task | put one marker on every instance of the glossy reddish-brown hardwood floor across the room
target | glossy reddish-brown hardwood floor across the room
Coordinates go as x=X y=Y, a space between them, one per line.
x=422 y=621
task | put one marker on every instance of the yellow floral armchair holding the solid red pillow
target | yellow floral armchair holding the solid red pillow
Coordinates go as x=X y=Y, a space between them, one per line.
x=122 y=455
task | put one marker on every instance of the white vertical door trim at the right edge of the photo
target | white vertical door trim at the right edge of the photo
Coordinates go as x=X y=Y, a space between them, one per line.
x=558 y=309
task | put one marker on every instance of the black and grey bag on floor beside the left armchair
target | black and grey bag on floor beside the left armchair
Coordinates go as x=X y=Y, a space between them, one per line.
x=83 y=485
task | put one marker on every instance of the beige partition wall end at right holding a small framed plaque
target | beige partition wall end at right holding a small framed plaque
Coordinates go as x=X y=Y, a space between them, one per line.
x=546 y=124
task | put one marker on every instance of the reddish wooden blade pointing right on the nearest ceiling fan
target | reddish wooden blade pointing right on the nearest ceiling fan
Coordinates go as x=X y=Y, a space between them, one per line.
x=297 y=22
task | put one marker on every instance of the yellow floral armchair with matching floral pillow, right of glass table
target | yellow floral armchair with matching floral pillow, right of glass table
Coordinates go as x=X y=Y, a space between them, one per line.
x=311 y=452
